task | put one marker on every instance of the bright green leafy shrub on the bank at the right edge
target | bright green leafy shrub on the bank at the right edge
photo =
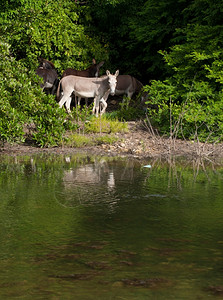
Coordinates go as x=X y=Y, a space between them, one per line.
x=193 y=95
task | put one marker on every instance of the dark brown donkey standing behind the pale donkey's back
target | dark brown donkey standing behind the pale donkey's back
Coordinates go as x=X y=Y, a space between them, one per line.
x=92 y=71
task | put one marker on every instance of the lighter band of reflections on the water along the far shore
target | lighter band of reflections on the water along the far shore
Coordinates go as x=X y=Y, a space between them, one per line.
x=83 y=179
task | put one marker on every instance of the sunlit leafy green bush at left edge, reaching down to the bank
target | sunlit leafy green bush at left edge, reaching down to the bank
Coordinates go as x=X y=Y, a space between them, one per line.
x=24 y=105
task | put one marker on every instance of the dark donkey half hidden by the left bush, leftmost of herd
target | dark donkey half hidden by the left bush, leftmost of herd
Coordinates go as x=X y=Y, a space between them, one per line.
x=47 y=71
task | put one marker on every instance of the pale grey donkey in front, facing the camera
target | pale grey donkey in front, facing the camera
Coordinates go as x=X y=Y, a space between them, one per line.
x=97 y=88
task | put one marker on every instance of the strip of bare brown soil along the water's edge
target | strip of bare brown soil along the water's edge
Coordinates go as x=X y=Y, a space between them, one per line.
x=137 y=142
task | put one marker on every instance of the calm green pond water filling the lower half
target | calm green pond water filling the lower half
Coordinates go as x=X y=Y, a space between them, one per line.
x=80 y=227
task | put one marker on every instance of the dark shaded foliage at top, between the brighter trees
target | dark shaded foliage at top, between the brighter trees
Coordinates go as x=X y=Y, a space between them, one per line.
x=144 y=28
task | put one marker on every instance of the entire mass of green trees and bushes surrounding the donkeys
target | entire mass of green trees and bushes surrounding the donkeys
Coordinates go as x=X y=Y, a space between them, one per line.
x=174 y=47
